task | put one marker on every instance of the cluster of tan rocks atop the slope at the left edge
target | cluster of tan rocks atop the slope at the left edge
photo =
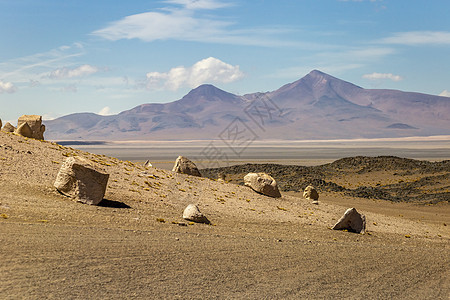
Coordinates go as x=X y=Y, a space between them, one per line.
x=29 y=126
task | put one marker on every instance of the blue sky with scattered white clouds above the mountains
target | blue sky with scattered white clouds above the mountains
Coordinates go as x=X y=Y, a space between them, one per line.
x=106 y=56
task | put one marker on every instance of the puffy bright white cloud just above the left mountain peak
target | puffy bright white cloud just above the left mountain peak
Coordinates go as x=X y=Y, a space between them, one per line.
x=204 y=71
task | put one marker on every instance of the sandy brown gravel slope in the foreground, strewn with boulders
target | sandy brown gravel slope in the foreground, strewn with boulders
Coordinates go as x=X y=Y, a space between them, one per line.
x=136 y=245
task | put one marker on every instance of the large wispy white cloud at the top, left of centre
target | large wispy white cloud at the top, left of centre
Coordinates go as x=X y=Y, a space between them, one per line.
x=185 y=24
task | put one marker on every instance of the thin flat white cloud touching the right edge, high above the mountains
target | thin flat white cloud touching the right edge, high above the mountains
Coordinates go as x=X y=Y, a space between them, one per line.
x=415 y=38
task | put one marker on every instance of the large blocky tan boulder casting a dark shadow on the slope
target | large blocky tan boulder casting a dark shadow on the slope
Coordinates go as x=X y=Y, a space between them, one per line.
x=80 y=179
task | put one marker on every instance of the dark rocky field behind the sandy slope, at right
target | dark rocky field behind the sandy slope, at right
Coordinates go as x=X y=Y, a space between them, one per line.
x=384 y=177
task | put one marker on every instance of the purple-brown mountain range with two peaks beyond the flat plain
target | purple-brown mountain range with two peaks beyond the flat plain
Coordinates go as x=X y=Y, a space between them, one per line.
x=317 y=106
